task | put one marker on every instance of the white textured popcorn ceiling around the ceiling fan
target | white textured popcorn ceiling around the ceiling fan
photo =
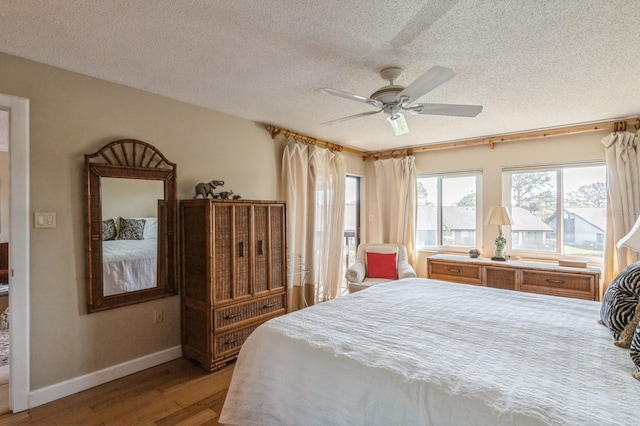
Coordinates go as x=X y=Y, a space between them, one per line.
x=532 y=64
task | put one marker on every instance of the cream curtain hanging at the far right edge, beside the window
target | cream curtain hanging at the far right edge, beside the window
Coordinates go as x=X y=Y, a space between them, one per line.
x=623 y=199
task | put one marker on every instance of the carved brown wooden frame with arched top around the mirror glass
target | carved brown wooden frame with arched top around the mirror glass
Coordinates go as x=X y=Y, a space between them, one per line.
x=130 y=159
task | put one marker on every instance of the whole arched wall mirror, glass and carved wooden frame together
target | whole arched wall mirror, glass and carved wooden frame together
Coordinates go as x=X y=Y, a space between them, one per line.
x=131 y=222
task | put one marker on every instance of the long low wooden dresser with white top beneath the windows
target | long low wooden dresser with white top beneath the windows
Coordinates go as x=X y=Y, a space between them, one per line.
x=545 y=278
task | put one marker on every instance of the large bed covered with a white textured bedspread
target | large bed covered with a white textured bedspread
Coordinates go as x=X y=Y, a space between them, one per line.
x=427 y=352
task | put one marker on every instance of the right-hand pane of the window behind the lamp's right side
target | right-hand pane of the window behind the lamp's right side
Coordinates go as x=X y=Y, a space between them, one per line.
x=584 y=199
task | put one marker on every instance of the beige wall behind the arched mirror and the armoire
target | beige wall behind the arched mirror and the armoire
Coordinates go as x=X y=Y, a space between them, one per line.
x=72 y=115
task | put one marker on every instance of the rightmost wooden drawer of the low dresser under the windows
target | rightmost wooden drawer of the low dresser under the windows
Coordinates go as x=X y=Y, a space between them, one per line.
x=559 y=284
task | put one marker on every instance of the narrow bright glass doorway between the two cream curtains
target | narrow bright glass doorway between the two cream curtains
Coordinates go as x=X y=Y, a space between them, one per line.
x=351 y=227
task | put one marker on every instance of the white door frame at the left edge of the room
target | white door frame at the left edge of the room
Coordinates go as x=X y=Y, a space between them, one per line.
x=18 y=250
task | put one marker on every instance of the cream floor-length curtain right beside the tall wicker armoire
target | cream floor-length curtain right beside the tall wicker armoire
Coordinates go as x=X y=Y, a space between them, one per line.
x=313 y=185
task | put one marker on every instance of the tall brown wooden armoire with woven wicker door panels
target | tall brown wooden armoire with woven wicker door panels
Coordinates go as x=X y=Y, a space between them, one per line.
x=233 y=258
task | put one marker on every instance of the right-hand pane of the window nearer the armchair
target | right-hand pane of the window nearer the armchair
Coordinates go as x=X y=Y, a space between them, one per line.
x=459 y=211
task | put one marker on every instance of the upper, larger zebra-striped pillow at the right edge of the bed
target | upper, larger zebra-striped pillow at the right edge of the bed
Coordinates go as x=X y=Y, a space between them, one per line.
x=618 y=310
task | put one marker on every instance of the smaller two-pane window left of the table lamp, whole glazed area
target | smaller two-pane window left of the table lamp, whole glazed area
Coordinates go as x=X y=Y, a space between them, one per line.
x=448 y=210
